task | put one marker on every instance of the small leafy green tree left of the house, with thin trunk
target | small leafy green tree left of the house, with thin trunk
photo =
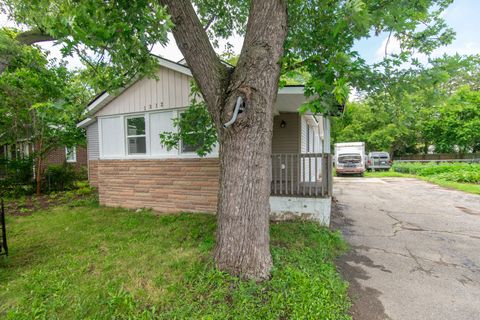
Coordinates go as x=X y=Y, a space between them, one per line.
x=41 y=102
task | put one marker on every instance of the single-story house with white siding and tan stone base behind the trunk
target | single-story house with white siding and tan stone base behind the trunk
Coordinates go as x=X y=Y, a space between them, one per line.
x=131 y=168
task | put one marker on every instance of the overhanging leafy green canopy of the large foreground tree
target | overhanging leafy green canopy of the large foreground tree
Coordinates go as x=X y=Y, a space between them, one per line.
x=119 y=35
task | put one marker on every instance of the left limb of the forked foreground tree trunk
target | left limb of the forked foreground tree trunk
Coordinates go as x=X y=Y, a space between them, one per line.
x=192 y=40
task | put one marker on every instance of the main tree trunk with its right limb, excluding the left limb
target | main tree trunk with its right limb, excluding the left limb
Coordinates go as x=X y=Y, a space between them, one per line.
x=244 y=209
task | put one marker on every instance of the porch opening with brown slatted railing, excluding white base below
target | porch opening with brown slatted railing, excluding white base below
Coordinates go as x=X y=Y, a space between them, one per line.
x=301 y=163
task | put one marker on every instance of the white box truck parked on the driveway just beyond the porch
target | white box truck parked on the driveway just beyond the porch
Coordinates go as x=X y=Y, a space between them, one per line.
x=350 y=158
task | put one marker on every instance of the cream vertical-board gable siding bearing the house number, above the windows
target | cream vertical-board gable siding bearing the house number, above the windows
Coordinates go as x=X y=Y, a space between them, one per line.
x=171 y=89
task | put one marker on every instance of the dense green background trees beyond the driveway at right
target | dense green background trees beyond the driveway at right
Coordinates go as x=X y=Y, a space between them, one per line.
x=419 y=109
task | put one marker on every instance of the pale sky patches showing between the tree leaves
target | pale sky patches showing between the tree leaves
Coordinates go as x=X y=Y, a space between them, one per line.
x=462 y=16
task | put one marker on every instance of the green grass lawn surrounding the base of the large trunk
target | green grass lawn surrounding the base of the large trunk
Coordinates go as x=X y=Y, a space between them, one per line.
x=90 y=262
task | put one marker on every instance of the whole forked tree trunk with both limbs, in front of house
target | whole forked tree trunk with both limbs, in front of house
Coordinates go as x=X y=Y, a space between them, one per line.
x=242 y=246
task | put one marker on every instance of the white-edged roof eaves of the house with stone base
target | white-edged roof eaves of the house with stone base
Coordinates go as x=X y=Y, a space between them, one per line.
x=102 y=99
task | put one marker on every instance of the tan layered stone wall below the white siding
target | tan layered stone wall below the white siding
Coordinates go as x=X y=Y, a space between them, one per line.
x=170 y=185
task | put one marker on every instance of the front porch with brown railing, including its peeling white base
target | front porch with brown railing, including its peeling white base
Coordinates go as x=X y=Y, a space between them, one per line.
x=301 y=168
